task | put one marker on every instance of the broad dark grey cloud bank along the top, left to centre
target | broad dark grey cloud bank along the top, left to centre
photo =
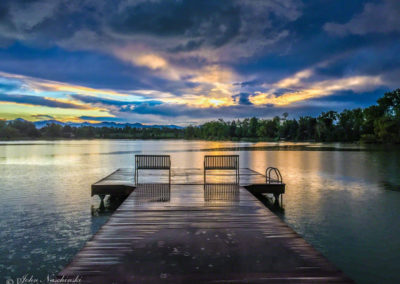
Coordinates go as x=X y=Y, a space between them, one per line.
x=93 y=24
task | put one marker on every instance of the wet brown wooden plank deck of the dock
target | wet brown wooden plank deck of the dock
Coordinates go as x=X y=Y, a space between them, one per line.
x=188 y=232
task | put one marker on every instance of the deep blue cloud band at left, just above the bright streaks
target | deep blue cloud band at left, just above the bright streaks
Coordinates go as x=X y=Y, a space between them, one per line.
x=79 y=67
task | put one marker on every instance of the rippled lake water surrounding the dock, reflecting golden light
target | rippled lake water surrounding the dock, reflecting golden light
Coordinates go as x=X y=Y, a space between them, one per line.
x=343 y=199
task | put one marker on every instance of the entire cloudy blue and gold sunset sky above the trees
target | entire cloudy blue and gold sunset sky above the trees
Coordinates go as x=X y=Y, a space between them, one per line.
x=187 y=61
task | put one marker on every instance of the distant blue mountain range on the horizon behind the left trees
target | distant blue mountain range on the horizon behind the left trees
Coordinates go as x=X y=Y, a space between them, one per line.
x=43 y=123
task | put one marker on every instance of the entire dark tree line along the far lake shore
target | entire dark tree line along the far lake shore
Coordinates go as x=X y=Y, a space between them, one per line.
x=378 y=123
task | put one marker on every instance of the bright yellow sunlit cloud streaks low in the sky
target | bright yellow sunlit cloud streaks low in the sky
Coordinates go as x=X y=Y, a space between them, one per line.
x=214 y=88
